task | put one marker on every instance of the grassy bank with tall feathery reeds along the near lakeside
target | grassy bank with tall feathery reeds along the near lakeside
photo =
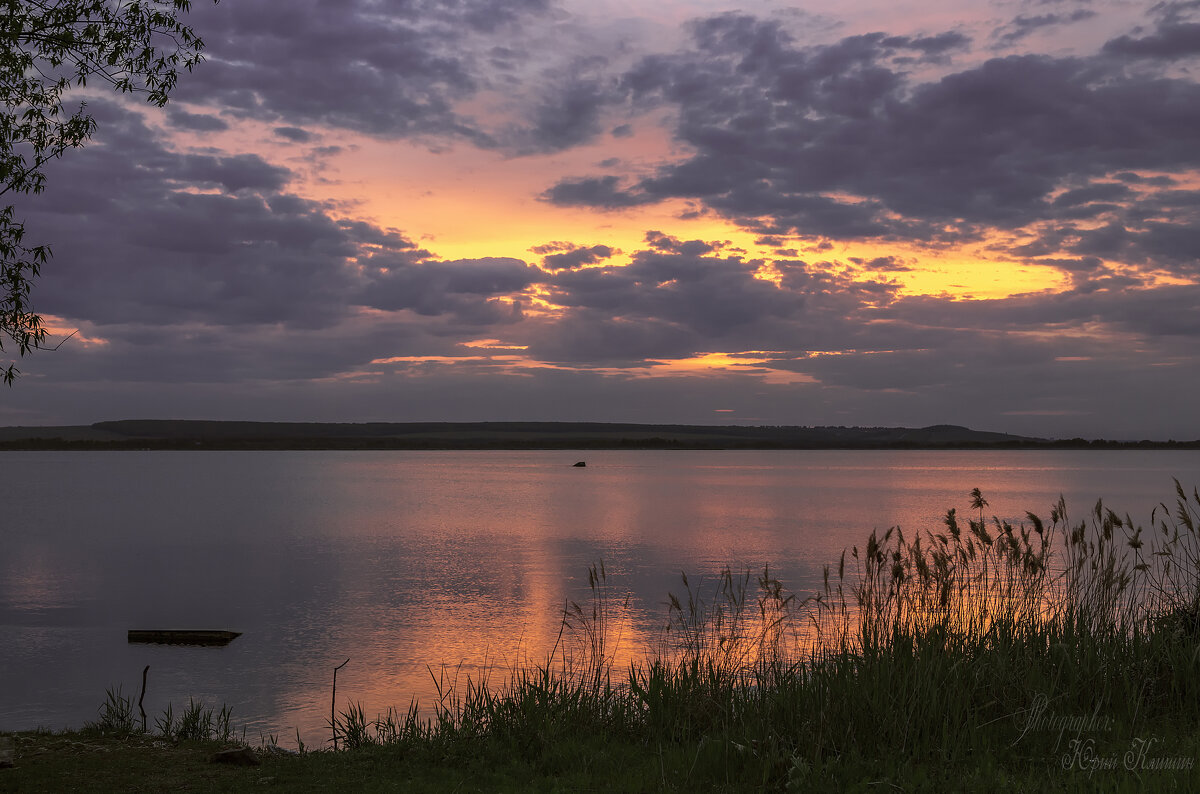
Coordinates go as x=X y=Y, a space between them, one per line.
x=1053 y=655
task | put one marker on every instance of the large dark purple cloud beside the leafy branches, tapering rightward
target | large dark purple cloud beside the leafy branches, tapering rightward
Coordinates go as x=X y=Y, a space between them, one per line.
x=206 y=240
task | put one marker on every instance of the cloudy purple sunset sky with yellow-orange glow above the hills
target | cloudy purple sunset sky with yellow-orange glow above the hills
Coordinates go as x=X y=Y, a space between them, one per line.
x=861 y=213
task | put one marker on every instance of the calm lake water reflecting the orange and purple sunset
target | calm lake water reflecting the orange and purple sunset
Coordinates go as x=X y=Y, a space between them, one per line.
x=401 y=562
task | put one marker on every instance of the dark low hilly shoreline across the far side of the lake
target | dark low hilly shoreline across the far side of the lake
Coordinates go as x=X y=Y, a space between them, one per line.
x=195 y=435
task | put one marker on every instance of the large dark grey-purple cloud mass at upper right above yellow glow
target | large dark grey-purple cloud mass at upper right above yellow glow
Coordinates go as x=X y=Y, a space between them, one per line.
x=836 y=141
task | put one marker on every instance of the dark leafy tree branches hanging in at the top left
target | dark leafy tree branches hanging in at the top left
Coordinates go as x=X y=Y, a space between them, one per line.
x=49 y=49
